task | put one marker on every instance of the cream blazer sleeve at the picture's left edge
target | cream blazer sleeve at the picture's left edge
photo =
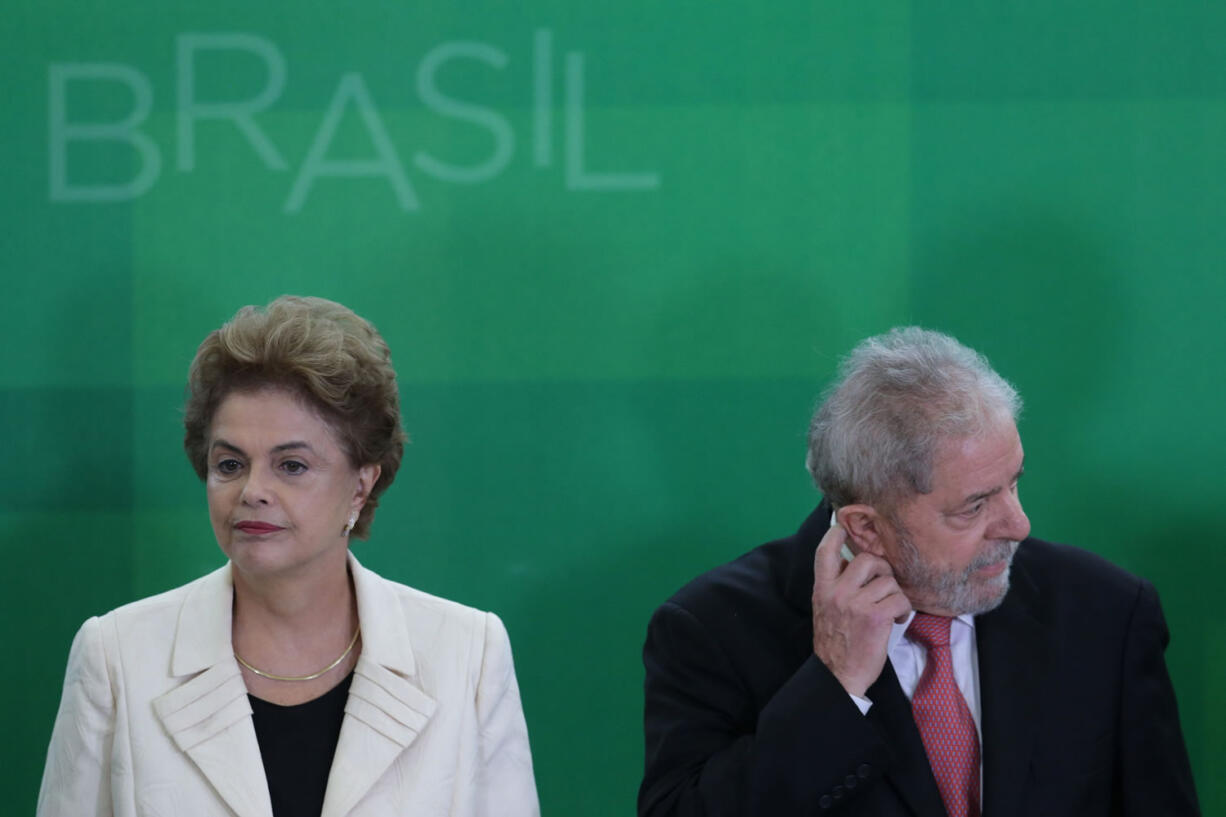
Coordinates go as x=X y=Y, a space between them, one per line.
x=77 y=780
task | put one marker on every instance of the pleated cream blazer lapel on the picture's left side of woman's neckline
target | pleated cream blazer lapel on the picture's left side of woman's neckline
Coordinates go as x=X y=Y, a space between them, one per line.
x=209 y=717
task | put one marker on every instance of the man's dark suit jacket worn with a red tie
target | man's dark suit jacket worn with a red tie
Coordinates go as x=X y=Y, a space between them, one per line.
x=1078 y=712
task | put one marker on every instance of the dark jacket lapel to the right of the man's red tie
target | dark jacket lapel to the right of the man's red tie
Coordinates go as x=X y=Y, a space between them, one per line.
x=1013 y=661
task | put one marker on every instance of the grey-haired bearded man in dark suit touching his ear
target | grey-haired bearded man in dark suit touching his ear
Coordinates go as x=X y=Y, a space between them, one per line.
x=921 y=656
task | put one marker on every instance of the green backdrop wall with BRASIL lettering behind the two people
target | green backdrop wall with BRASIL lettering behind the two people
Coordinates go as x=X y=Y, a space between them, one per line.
x=617 y=251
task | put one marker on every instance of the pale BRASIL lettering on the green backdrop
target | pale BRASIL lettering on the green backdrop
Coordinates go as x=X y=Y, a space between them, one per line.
x=351 y=96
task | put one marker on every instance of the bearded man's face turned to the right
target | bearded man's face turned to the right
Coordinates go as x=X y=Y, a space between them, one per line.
x=952 y=549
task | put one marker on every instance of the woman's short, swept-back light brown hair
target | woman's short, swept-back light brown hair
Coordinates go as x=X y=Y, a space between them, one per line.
x=319 y=351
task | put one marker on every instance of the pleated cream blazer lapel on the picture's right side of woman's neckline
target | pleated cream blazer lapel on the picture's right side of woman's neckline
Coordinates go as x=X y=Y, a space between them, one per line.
x=387 y=711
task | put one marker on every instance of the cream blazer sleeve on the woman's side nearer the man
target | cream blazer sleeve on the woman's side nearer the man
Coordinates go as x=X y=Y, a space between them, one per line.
x=508 y=787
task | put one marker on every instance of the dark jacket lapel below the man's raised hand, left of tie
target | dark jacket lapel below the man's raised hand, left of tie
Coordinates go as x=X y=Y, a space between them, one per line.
x=909 y=773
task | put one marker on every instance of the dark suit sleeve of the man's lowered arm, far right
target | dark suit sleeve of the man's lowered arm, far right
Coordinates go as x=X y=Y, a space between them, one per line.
x=1154 y=771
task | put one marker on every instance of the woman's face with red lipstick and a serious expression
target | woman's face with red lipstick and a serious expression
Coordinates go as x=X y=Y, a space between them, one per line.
x=281 y=490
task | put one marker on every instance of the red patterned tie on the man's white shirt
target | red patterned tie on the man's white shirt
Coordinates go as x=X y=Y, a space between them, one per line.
x=945 y=722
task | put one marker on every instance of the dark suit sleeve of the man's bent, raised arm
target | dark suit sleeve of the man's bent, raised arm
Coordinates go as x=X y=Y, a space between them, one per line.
x=713 y=751
